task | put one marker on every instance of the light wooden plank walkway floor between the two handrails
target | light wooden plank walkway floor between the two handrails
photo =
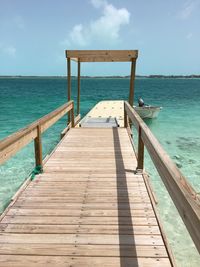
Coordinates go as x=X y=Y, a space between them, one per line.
x=88 y=208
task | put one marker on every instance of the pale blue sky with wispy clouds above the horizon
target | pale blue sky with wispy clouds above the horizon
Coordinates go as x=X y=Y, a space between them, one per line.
x=34 y=35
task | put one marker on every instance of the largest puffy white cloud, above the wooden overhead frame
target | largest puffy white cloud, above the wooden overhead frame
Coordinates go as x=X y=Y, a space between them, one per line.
x=104 y=30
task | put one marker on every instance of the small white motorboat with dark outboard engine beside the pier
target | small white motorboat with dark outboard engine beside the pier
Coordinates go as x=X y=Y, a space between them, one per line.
x=147 y=111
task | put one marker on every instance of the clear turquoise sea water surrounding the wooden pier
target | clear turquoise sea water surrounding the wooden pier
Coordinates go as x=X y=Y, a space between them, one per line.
x=23 y=100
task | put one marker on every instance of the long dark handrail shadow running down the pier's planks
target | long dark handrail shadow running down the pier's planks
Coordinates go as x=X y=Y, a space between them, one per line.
x=124 y=211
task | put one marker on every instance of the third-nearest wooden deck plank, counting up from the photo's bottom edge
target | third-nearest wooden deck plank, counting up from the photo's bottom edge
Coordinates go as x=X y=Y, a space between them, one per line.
x=101 y=239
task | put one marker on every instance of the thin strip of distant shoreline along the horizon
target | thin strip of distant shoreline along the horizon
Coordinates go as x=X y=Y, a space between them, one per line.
x=192 y=76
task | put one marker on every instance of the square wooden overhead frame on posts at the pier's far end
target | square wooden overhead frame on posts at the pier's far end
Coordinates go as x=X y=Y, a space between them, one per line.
x=100 y=56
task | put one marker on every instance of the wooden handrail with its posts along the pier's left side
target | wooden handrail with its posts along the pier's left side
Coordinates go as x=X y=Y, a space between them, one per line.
x=13 y=143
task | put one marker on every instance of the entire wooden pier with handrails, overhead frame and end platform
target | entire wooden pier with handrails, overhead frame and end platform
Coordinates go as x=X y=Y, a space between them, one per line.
x=91 y=203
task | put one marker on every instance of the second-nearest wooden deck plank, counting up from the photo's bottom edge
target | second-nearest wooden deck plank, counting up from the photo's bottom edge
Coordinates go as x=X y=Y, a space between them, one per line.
x=83 y=250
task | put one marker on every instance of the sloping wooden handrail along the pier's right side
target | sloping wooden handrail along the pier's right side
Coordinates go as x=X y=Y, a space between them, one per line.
x=183 y=195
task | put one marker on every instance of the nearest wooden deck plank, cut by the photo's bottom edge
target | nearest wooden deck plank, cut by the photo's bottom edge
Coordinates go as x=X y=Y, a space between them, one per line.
x=62 y=261
